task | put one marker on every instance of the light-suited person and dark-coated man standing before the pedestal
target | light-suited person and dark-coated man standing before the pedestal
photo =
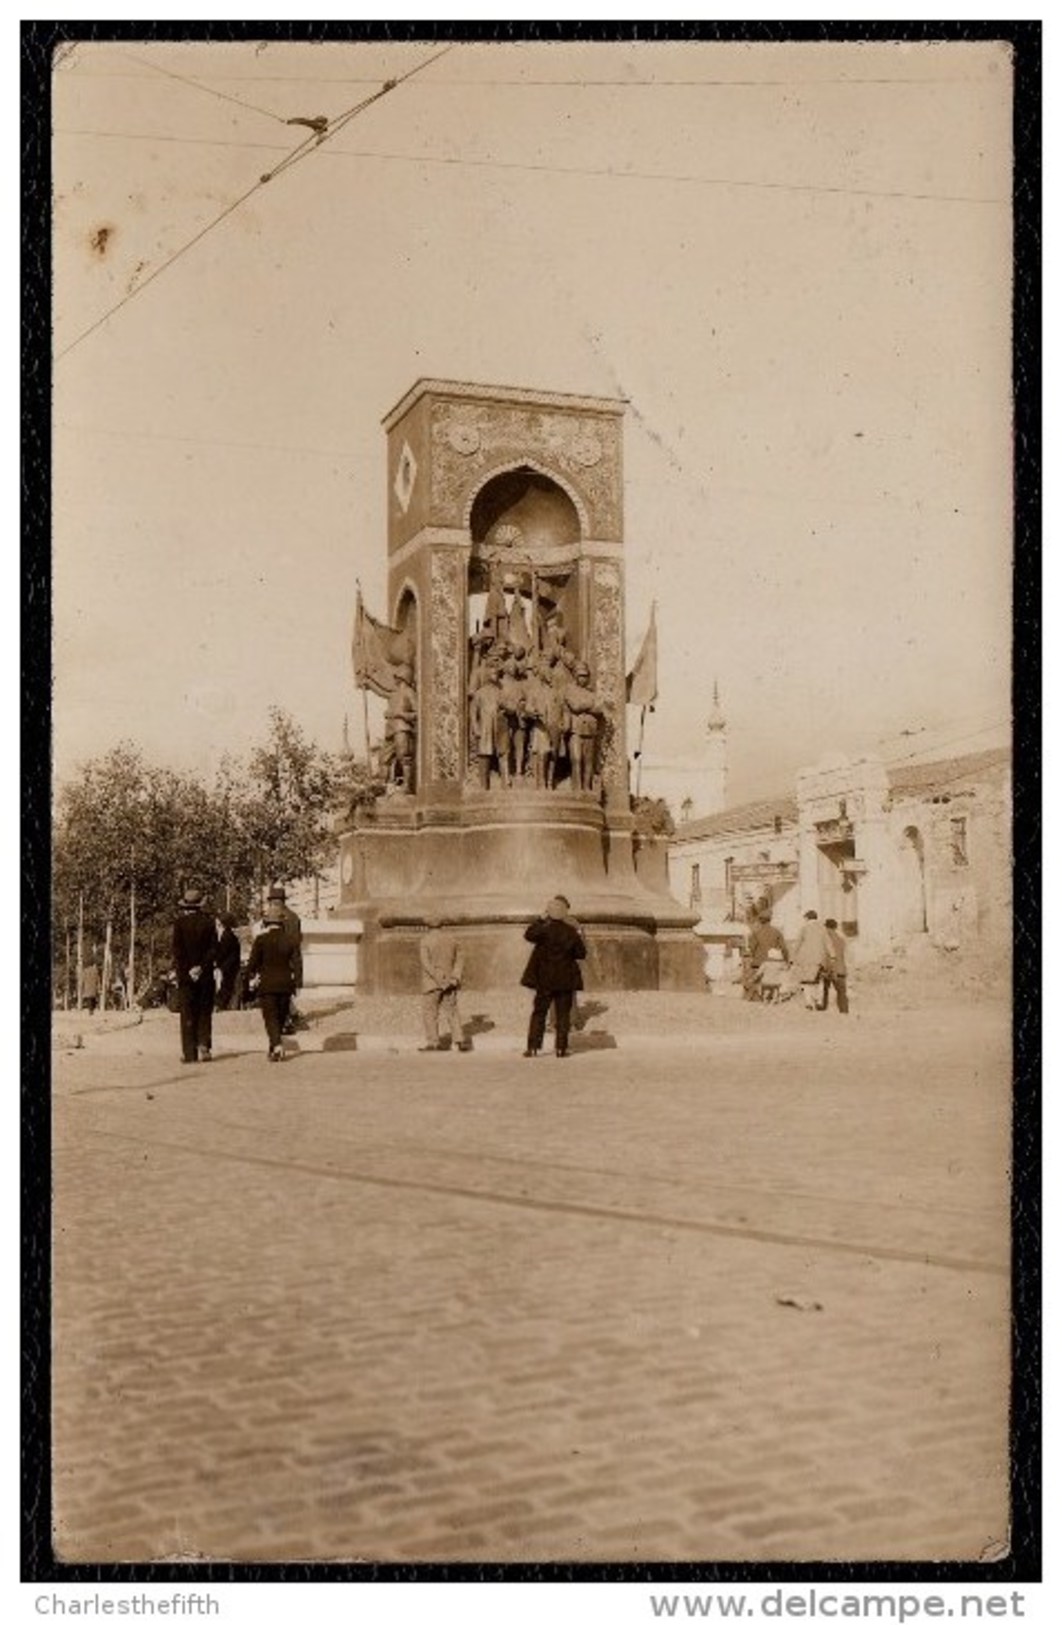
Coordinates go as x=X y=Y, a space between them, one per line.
x=553 y=974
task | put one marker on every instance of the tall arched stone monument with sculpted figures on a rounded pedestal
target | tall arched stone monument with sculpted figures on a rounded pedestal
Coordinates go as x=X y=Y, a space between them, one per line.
x=503 y=664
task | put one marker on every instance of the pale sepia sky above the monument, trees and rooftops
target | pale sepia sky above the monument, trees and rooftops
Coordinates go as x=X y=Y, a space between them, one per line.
x=792 y=261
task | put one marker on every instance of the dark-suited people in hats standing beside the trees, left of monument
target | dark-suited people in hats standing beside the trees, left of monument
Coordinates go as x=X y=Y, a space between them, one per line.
x=207 y=971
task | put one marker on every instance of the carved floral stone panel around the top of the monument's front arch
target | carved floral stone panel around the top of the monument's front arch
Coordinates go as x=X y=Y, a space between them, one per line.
x=468 y=440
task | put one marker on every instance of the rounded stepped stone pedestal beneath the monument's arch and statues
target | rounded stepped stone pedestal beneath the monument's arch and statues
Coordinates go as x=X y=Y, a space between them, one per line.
x=488 y=867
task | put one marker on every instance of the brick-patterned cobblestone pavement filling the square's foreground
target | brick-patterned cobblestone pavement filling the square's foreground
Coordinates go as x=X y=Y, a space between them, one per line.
x=741 y=1299
